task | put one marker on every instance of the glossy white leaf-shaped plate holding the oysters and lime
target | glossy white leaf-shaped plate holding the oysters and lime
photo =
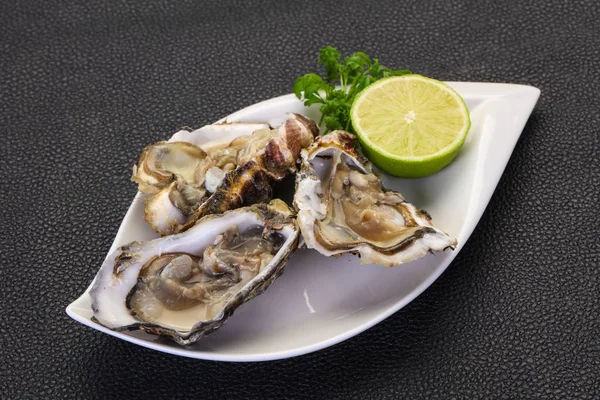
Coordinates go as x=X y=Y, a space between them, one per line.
x=321 y=301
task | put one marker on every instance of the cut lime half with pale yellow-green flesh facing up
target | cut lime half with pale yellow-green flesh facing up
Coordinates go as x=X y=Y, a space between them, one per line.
x=410 y=126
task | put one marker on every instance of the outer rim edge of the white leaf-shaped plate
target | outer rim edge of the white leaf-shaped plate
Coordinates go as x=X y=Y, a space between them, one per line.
x=491 y=90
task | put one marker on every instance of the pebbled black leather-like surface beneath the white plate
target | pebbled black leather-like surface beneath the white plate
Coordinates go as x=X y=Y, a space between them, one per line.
x=83 y=87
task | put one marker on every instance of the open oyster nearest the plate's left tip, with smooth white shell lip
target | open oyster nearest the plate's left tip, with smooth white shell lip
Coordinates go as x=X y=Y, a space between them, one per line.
x=187 y=285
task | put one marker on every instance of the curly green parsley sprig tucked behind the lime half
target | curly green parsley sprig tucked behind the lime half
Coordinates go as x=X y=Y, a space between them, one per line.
x=354 y=73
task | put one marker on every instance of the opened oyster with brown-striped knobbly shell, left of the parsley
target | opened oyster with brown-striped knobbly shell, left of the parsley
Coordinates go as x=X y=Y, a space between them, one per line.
x=188 y=182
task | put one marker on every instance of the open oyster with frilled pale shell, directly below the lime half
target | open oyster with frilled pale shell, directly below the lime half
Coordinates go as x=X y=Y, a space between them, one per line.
x=344 y=208
